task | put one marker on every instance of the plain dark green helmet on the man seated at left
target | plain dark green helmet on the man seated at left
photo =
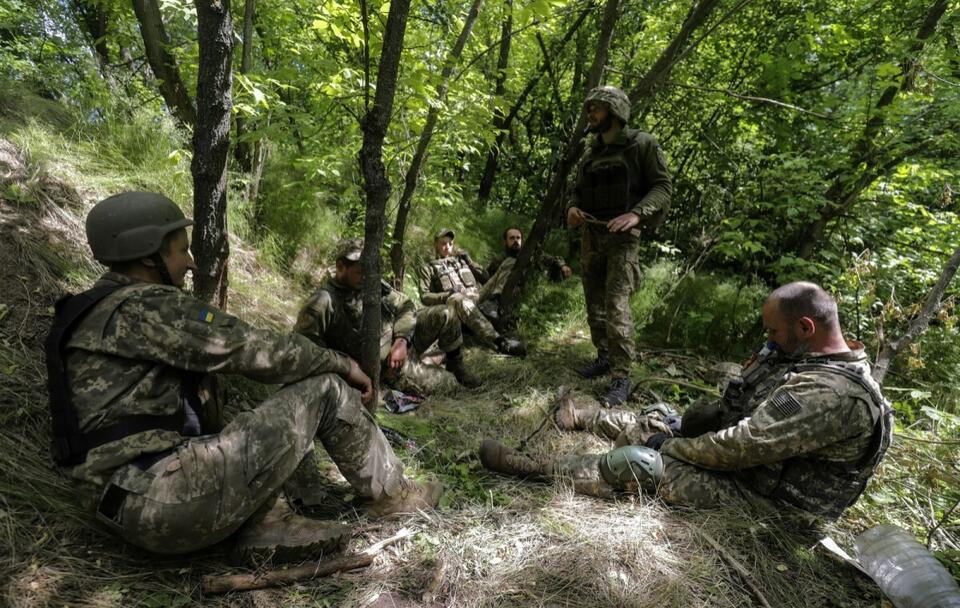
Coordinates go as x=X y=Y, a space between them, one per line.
x=131 y=225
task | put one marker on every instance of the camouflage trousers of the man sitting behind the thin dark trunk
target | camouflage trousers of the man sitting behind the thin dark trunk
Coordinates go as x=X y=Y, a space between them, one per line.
x=437 y=324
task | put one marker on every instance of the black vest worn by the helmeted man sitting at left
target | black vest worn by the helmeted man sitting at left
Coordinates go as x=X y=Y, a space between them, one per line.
x=69 y=445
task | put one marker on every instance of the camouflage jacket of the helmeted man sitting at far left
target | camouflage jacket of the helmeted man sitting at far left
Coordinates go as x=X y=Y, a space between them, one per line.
x=128 y=356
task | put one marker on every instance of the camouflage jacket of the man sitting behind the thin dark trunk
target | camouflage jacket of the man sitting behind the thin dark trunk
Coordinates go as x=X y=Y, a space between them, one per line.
x=332 y=317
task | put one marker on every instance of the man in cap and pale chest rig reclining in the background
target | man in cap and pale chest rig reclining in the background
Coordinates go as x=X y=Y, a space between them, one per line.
x=455 y=280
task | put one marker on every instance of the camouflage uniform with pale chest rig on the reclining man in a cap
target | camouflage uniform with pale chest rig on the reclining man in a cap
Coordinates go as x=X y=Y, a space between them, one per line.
x=457 y=283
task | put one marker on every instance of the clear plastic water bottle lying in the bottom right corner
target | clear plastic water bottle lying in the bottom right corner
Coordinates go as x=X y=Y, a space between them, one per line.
x=905 y=571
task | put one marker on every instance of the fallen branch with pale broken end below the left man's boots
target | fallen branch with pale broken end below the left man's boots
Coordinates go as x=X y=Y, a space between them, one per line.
x=213 y=584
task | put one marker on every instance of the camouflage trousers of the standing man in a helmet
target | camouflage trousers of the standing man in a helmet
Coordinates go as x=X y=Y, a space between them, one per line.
x=611 y=273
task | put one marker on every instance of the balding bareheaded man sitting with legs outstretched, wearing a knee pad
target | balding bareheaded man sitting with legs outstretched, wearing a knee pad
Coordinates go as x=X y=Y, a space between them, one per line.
x=804 y=427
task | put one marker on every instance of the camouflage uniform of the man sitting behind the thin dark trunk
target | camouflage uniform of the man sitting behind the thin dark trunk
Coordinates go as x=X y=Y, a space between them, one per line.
x=333 y=315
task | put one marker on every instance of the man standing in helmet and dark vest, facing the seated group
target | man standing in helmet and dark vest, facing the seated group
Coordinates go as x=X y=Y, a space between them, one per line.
x=622 y=184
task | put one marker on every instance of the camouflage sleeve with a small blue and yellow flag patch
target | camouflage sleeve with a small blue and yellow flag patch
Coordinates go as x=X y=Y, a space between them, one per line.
x=171 y=327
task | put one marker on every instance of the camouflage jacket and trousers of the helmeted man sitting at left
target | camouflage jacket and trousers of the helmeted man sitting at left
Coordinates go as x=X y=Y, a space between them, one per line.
x=133 y=355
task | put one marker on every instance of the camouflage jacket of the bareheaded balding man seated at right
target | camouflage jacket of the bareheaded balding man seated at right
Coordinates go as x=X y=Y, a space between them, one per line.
x=810 y=435
